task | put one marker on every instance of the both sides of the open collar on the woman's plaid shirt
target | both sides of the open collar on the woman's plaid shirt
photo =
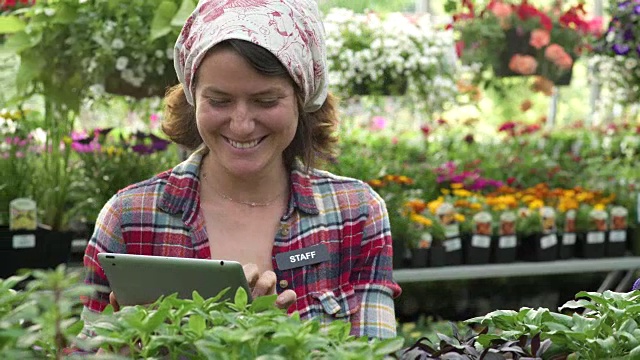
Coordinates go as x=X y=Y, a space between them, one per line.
x=182 y=190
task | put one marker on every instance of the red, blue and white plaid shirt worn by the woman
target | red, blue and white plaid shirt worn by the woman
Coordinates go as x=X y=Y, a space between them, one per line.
x=160 y=216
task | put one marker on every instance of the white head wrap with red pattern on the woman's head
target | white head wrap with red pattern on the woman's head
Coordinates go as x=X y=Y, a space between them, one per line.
x=290 y=29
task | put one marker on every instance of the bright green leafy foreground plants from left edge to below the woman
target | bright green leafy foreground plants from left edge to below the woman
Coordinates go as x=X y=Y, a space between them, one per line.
x=42 y=320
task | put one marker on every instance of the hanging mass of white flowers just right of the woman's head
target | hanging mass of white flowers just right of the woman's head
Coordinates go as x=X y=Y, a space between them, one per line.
x=373 y=54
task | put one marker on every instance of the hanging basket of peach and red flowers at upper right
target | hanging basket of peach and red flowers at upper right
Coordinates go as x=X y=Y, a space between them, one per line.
x=520 y=39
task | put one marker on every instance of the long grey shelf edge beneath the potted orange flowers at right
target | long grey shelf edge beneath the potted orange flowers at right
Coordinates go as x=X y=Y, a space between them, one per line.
x=464 y=272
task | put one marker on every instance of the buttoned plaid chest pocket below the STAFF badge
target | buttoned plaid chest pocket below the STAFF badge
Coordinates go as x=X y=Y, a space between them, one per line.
x=340 y=302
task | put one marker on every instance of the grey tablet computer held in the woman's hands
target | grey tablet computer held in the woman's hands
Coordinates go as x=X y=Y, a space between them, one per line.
x=142 y=279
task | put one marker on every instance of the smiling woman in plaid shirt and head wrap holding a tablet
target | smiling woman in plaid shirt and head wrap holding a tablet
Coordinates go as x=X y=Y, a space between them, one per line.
x=253 y=105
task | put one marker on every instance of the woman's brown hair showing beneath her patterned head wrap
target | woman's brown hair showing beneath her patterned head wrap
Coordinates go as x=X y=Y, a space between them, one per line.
x=315 y=136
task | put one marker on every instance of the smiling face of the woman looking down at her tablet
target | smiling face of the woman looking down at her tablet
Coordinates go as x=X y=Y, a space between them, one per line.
x=246 y=119
